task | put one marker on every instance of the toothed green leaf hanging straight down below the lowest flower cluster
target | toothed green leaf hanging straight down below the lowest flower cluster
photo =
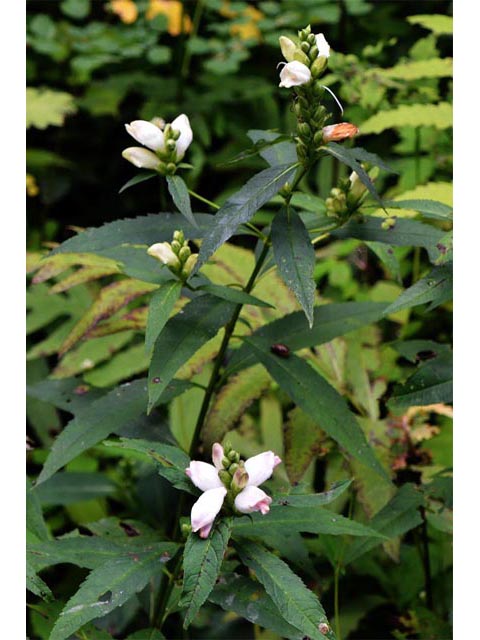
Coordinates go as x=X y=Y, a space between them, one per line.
x=202 y=560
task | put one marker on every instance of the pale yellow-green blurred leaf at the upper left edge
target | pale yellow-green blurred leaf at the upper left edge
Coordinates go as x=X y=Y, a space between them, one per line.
x=46 y=107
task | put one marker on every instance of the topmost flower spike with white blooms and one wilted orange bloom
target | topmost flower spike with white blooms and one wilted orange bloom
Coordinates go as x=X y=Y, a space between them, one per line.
x=306 y=62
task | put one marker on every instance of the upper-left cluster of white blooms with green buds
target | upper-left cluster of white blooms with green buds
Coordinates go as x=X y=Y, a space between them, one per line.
x=167 y=143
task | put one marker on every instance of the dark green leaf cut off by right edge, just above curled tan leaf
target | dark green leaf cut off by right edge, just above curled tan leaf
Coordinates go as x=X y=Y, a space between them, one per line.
x=430 y=384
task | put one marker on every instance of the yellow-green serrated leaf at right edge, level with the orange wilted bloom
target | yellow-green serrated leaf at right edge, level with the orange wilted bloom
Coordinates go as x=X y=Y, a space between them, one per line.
x=410 y=115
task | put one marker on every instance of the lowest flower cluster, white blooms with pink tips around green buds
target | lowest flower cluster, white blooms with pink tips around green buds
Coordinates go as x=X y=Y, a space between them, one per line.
x=230 y=483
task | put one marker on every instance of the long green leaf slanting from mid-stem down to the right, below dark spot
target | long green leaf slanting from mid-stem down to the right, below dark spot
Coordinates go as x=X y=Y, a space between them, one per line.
x=312 y=393
